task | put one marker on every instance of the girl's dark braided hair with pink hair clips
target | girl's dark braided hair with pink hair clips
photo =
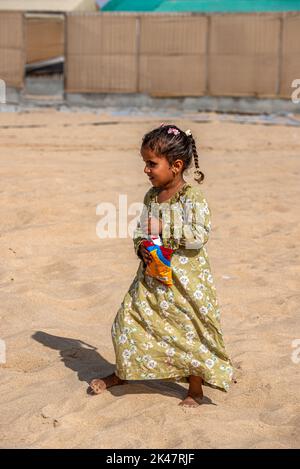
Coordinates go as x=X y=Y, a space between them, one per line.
x=174 y=144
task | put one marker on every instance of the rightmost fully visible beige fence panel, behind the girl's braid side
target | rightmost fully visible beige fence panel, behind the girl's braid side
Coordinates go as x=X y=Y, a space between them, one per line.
x=244 y=55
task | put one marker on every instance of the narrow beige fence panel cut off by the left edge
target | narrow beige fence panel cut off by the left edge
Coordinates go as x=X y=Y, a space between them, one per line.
x=12 y=56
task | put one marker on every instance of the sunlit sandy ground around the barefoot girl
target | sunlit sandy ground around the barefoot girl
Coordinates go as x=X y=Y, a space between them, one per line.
x=61 y=285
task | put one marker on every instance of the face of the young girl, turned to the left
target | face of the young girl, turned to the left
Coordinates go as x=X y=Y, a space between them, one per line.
x=157 y=168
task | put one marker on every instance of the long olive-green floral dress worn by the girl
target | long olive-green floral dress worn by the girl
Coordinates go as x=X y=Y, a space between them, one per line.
x=163 y=332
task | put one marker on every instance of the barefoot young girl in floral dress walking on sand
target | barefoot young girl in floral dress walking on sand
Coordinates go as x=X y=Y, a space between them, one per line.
x=171 y=332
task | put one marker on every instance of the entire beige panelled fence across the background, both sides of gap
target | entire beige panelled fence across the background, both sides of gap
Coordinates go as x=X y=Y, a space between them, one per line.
x=167 y=55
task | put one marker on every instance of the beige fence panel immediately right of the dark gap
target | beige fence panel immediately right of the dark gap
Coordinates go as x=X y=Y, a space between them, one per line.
x=101 y=54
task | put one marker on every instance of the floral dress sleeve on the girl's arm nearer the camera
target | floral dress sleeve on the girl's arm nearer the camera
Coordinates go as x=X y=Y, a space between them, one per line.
x=188 y=223
